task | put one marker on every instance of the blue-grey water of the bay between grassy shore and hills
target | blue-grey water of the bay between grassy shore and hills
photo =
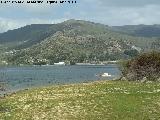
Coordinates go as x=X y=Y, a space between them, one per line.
x=18 y=78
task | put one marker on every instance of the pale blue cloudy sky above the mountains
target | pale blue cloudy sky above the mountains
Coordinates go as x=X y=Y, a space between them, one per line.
x=108 y=12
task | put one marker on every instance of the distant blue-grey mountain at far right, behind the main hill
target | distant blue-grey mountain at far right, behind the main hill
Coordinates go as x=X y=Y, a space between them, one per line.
x=139 y=30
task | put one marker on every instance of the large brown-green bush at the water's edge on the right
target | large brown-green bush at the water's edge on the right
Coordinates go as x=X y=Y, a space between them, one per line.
x=146 y=65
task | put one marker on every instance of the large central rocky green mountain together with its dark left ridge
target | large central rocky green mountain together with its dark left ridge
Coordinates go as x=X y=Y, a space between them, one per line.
x=71 y=41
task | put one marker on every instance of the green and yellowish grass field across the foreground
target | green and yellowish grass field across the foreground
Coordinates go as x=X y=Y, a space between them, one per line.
x=103 y=100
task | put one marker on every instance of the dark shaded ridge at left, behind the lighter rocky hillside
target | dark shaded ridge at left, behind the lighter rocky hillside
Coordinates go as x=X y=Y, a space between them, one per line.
x=32 y=34
